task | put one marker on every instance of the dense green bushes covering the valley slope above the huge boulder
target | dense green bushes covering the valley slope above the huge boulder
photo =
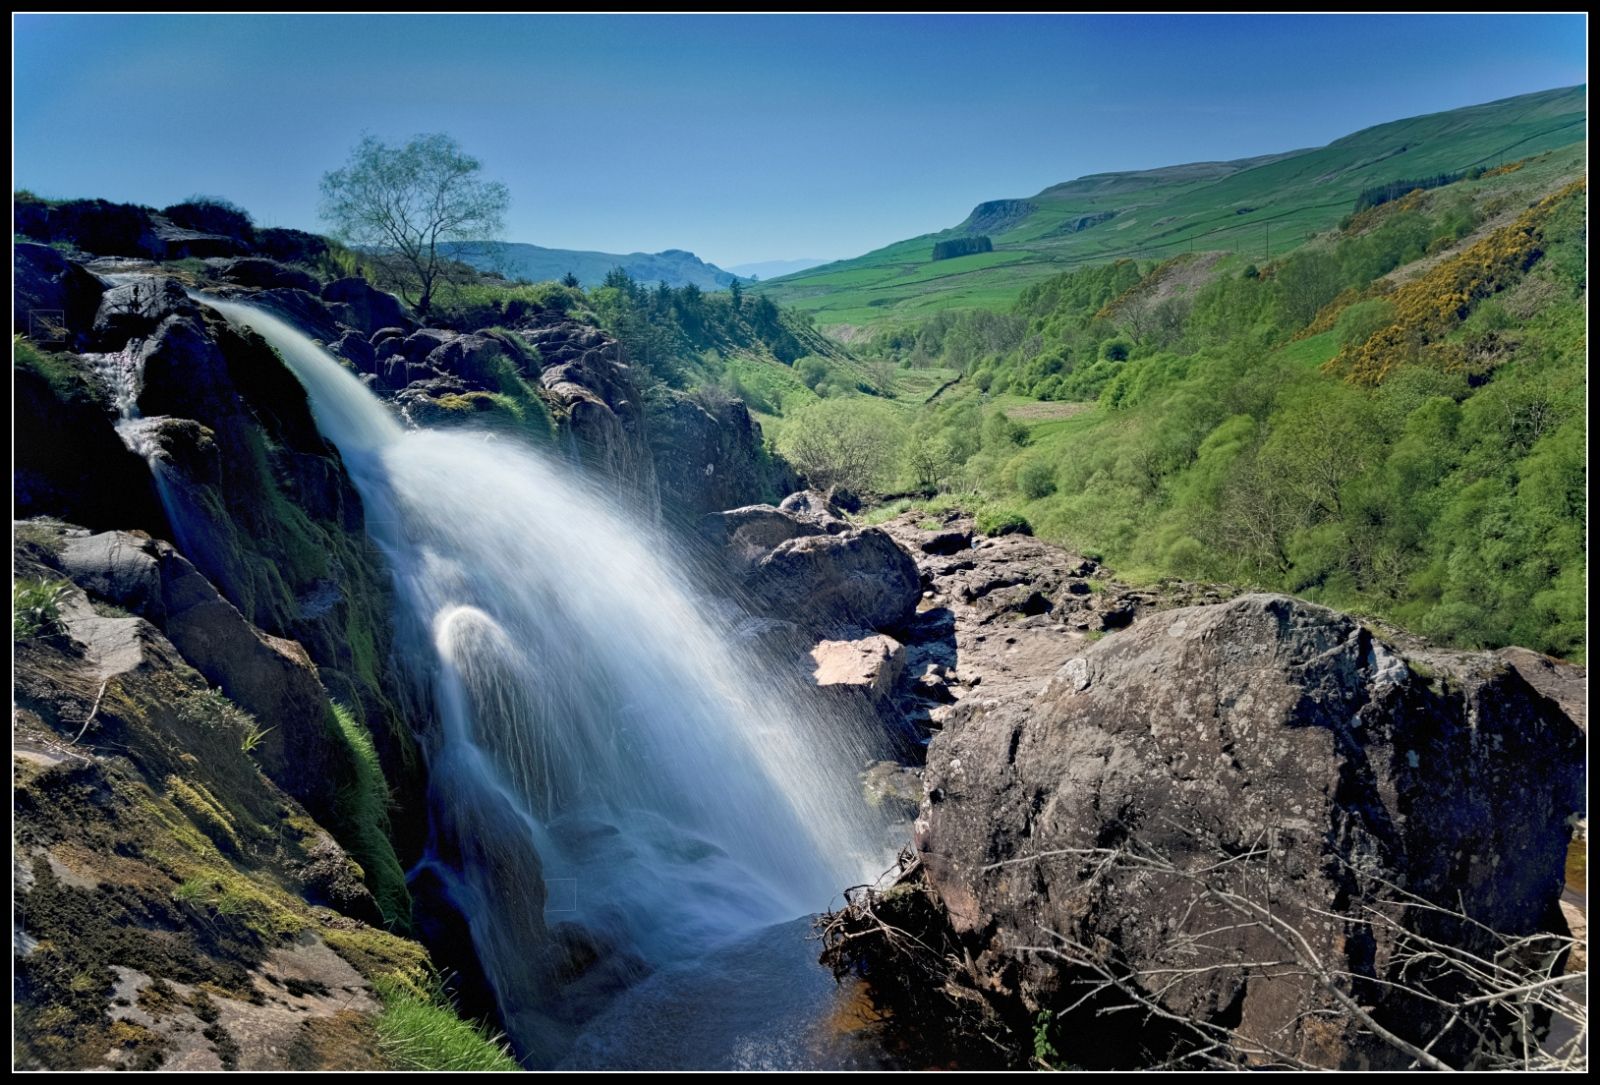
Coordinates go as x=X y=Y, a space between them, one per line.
x=1452 y=497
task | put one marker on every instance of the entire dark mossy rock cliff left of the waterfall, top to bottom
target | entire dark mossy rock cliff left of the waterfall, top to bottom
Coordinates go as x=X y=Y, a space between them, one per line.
x=214 y=751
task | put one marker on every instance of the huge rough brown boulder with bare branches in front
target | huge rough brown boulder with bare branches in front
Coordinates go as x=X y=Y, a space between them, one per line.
x=1209 y=803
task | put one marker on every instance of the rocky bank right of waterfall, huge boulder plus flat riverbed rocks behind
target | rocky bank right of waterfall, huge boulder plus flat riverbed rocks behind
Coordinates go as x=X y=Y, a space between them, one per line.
x=1239 y=822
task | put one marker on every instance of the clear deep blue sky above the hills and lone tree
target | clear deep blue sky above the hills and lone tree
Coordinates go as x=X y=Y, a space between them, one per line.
x=738 y=138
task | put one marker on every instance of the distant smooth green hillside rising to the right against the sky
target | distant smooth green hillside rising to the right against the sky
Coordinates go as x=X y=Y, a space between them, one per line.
x=1254 y=206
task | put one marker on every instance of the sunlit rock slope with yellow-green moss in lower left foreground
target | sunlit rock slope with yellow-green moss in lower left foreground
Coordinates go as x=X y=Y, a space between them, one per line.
x=175 y=907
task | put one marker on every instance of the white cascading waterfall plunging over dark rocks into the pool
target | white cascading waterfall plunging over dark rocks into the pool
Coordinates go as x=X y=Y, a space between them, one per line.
x=594 y=719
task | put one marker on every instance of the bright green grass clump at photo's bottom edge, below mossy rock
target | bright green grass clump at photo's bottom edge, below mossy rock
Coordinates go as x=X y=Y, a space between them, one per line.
x=422 y=1031
